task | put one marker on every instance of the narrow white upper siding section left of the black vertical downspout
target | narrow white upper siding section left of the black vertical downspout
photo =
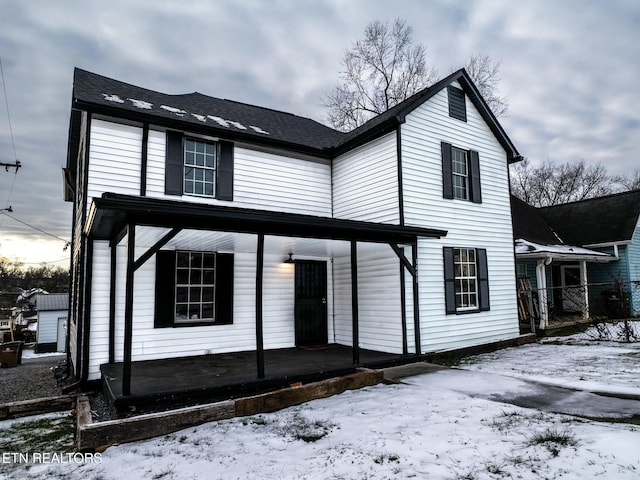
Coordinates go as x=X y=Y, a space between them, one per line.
x=115 y=153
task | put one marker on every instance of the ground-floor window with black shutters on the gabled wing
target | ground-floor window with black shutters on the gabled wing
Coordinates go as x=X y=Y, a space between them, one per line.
x=466 y=279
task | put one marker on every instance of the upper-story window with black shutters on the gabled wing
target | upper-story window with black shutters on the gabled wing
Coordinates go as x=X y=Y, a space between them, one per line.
x=460 y=174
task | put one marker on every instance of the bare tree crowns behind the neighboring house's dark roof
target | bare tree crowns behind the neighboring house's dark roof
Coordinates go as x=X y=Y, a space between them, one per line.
x=554 y=184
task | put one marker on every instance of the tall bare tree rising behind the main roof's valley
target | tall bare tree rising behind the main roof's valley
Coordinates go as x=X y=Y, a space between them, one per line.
x=380 y=71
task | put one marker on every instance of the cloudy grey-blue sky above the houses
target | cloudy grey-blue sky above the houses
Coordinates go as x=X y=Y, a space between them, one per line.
x=569 y=70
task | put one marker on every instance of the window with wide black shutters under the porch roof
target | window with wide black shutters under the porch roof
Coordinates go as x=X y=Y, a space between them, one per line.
x=193 y=288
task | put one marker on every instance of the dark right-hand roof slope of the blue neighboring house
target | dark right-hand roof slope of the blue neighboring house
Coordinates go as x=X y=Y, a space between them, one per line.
x=612 y=218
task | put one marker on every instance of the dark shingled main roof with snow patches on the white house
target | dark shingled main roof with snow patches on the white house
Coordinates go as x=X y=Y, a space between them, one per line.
x=240 y=121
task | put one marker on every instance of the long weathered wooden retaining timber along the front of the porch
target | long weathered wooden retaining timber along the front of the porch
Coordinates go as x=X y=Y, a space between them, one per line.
x=91 y=436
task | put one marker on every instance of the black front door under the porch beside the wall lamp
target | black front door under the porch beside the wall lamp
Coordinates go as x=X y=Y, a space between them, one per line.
x=311 y=303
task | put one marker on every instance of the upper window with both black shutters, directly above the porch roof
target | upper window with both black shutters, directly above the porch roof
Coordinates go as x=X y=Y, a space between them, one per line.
x=198 y=167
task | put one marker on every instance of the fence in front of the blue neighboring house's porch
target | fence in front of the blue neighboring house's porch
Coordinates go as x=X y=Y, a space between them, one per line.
x=557 y=307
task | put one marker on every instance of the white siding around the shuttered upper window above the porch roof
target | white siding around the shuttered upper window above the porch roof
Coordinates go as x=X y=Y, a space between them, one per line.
x=261 y=180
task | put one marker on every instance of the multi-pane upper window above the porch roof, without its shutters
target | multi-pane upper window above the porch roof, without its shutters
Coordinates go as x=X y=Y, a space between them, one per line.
x=199 y=167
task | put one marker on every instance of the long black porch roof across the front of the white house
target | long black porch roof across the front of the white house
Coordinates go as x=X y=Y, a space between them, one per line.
x=110 y=214
